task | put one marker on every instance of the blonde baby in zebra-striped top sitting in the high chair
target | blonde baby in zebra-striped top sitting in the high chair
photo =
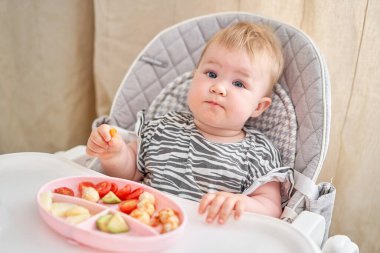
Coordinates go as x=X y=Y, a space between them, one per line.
x=209 y=155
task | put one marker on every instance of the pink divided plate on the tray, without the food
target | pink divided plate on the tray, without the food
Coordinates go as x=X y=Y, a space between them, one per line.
x=139 y=238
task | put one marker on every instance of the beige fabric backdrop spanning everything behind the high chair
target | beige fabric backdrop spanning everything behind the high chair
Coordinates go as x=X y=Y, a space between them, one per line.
x=61 y=63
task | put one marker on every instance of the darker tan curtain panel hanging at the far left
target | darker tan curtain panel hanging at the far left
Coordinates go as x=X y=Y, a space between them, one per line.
x=46 y=80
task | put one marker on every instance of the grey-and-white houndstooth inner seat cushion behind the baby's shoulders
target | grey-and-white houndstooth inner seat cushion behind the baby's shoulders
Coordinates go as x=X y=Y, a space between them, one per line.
x=278 y=123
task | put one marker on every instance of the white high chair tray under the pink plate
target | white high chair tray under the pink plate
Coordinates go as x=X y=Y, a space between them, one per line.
x=23 y=230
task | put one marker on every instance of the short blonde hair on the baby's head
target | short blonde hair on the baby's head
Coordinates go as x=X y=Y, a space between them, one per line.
x=257 y=40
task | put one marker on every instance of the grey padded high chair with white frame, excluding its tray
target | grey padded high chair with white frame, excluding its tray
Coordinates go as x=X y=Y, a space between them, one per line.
x=298 y=121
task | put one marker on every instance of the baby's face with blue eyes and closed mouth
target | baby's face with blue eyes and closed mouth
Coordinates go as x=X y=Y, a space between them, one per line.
x=227 y=88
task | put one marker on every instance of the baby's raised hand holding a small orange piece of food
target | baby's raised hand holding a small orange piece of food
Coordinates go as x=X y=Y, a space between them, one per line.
x=104 y=142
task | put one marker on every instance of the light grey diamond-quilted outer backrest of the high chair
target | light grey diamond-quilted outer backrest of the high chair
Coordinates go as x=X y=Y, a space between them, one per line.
x=176 y=51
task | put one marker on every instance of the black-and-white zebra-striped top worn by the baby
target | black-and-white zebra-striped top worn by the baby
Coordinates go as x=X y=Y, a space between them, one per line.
x=174 y=157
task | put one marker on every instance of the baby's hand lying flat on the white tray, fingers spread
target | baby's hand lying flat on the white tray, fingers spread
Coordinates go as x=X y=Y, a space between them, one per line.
x=221 y=205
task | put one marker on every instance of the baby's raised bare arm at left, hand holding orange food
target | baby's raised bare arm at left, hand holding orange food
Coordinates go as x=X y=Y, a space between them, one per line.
x=118 y=159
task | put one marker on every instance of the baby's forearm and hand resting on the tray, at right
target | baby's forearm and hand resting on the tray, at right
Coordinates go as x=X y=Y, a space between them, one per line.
x=265 y=200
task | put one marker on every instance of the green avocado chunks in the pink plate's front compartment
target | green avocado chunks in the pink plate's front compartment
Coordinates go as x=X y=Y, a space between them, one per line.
x=112 y=223
